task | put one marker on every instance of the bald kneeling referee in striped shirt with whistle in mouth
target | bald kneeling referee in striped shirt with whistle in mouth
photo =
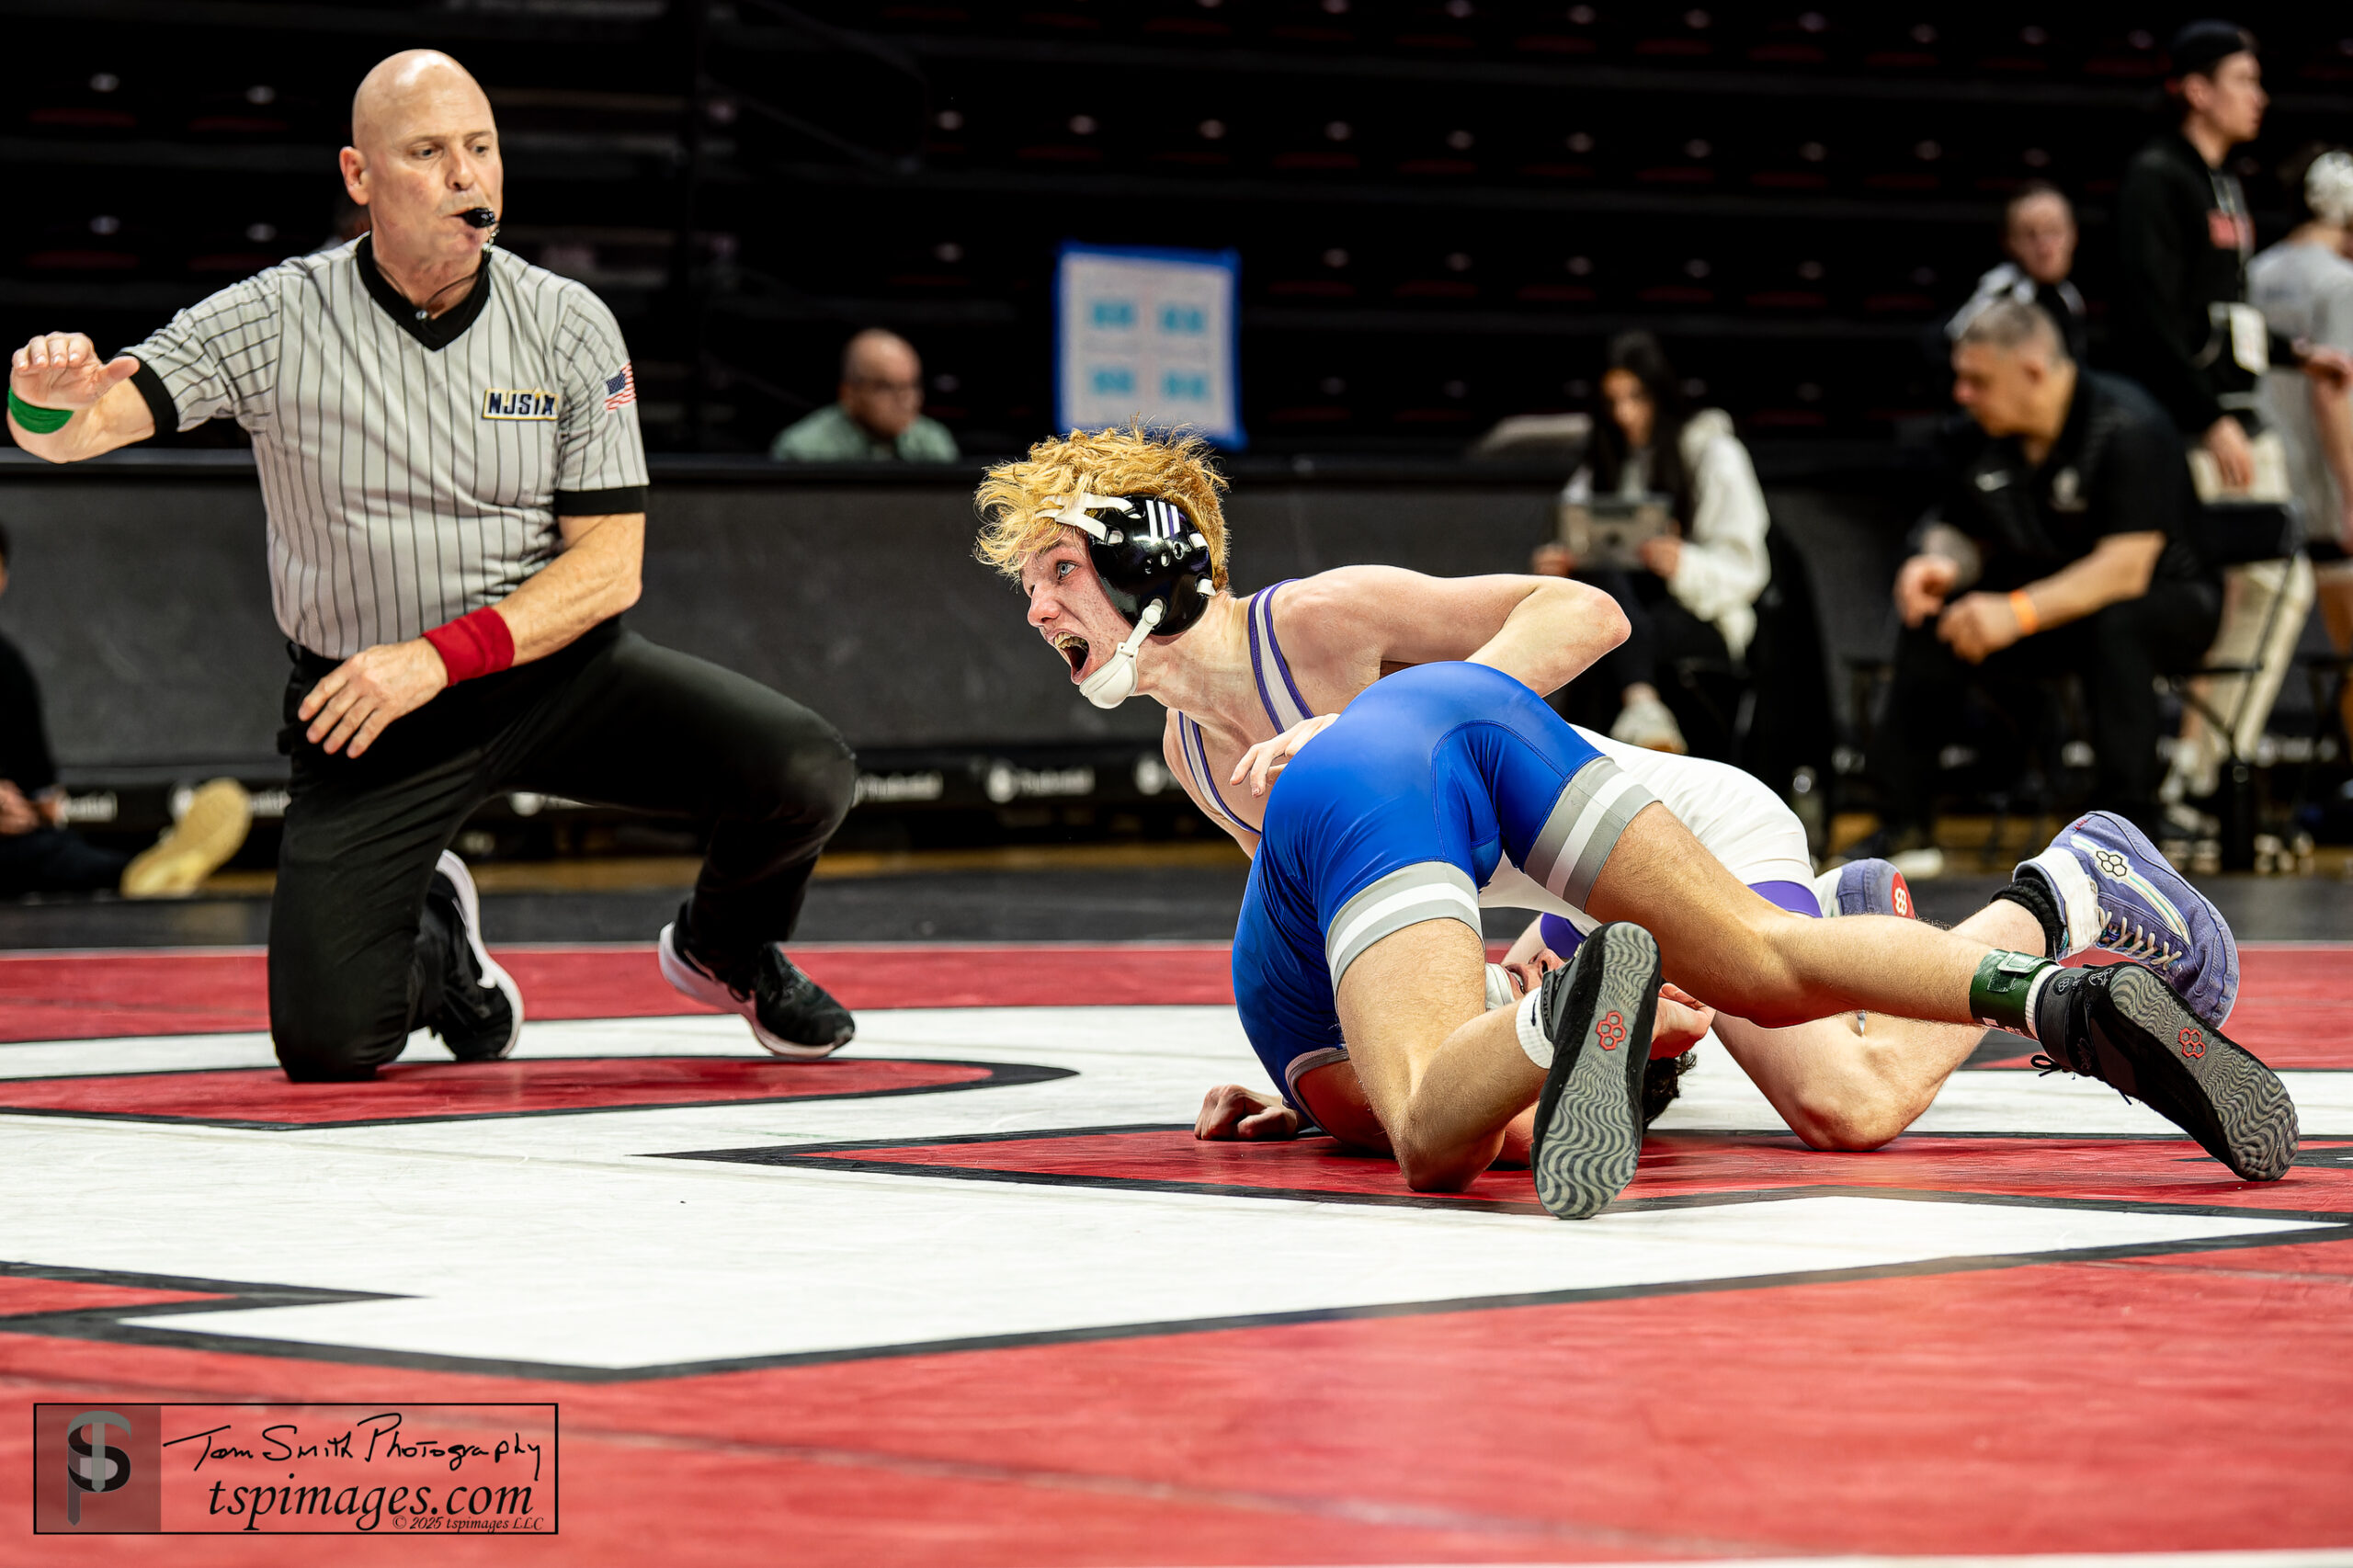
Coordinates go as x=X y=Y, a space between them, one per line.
x=455 y=486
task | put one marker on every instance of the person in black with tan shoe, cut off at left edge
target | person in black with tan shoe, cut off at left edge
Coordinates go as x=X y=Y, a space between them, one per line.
x=39 y=853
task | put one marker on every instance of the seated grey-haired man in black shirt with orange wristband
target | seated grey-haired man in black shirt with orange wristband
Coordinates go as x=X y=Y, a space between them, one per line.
x=2065 y=536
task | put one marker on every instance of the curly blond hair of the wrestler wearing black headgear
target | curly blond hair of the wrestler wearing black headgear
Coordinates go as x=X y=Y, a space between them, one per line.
x=1171 y=465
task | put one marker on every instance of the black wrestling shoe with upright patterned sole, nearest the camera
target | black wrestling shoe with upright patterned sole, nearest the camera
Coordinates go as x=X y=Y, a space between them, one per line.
x=1597 y=1011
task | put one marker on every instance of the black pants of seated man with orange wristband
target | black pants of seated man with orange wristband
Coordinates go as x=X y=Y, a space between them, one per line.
x=2117 y=653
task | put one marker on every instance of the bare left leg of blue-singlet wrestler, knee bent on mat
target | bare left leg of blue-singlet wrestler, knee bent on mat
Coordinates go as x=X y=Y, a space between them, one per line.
x=1441 y=1072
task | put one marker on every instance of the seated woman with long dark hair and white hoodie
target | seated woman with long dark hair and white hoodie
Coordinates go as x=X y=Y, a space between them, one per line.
x=1695 y=597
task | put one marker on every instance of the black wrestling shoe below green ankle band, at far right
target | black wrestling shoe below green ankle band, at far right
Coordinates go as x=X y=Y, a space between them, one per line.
x=2128 y=1030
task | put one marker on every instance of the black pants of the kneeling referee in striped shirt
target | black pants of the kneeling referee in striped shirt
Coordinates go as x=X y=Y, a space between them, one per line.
x=611 y=719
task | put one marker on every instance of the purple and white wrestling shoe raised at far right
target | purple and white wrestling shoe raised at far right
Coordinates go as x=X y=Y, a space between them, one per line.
x=2121 y=896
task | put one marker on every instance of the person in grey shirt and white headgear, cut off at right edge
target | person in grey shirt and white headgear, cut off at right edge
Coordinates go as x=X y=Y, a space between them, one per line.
x=2305 y=291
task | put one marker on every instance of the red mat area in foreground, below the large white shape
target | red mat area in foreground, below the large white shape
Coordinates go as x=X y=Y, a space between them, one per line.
x=2178 y=1404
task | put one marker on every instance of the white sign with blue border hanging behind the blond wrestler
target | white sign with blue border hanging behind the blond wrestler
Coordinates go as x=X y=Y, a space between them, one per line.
x=1147 y=333
